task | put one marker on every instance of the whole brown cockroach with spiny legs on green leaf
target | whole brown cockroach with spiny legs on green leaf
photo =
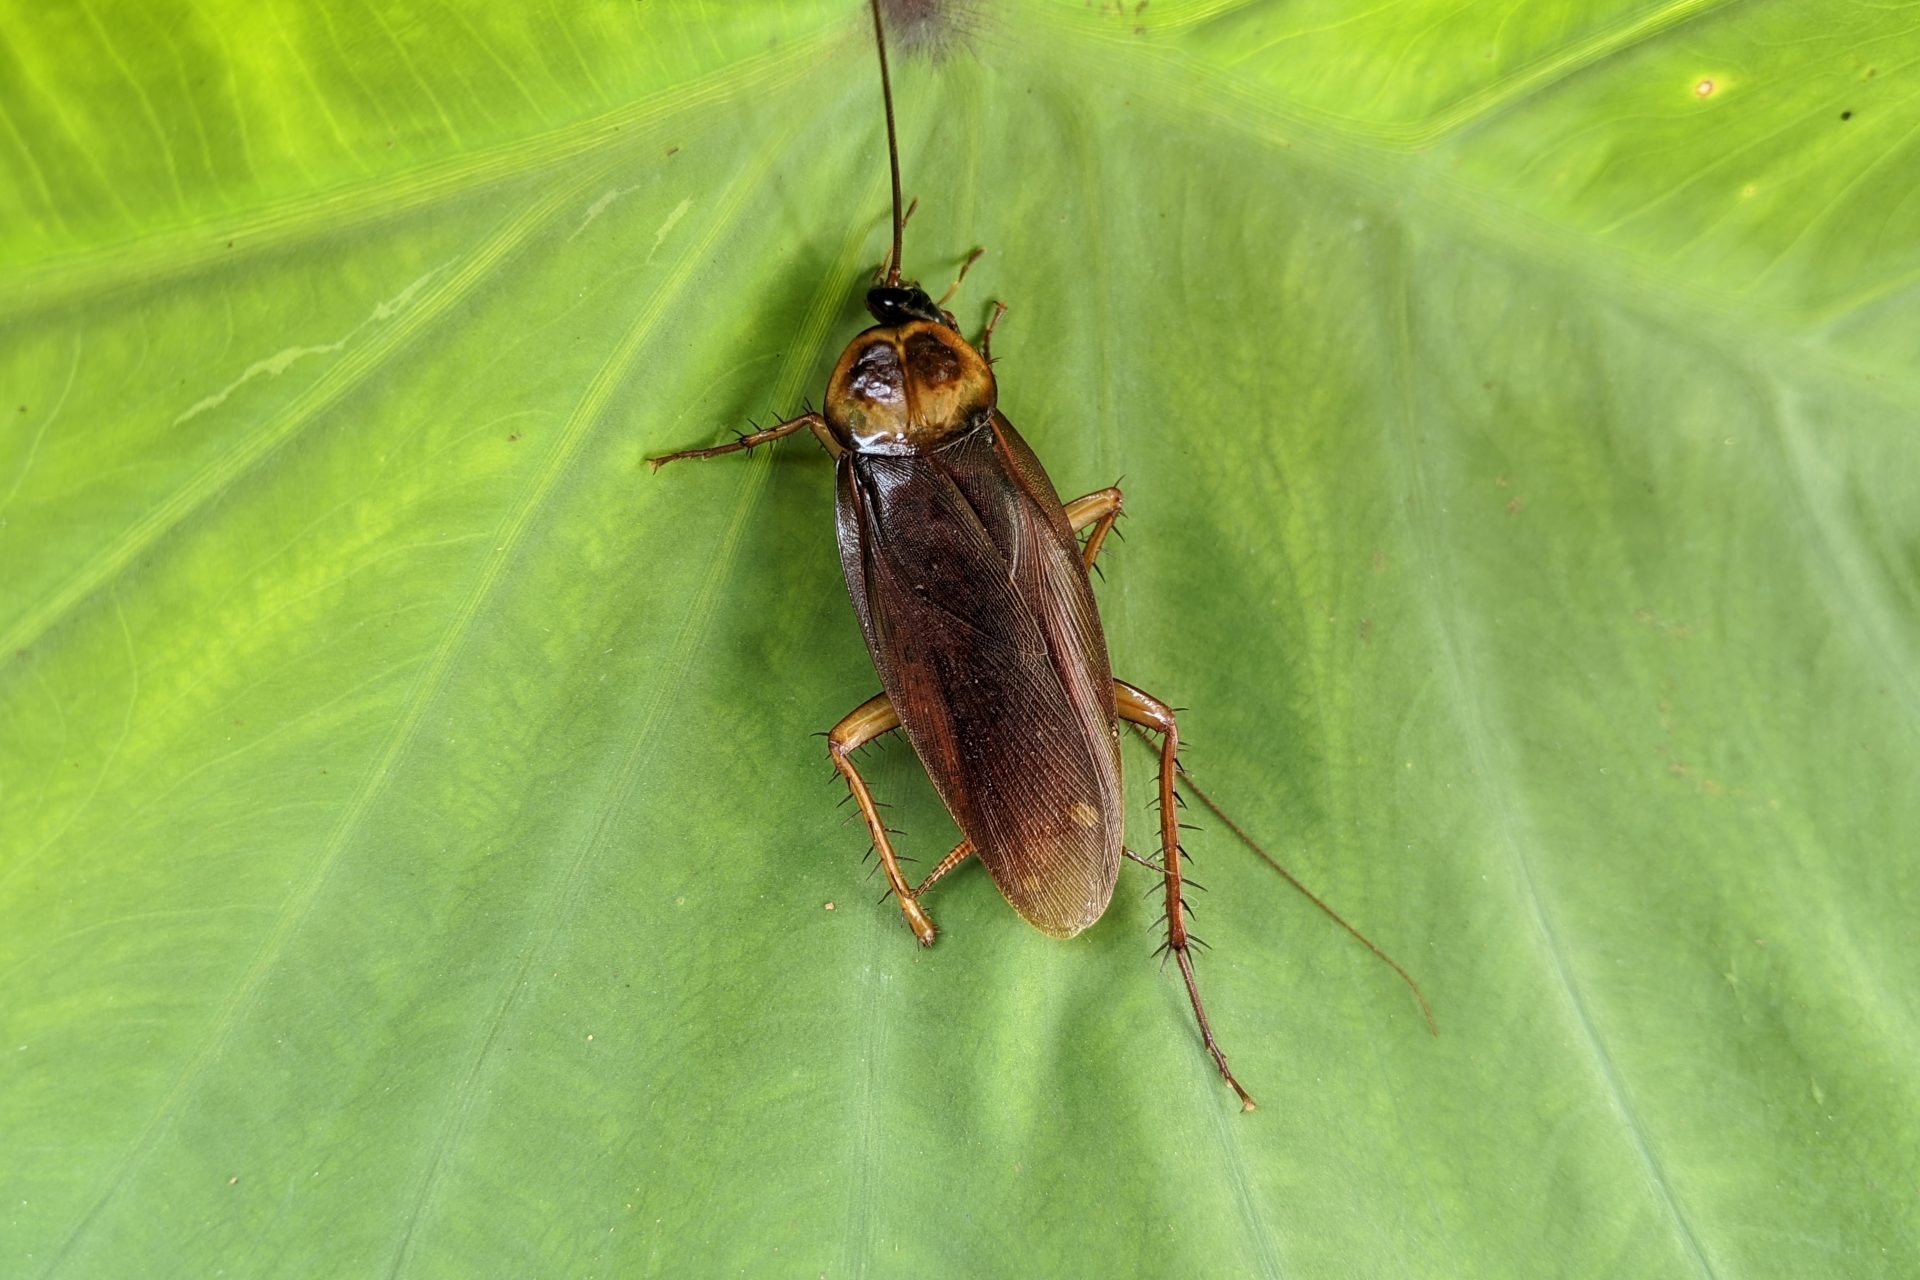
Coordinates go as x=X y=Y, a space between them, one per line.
x=971 y=582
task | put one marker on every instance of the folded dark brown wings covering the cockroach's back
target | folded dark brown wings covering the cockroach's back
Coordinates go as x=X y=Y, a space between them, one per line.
x=984 y=630
